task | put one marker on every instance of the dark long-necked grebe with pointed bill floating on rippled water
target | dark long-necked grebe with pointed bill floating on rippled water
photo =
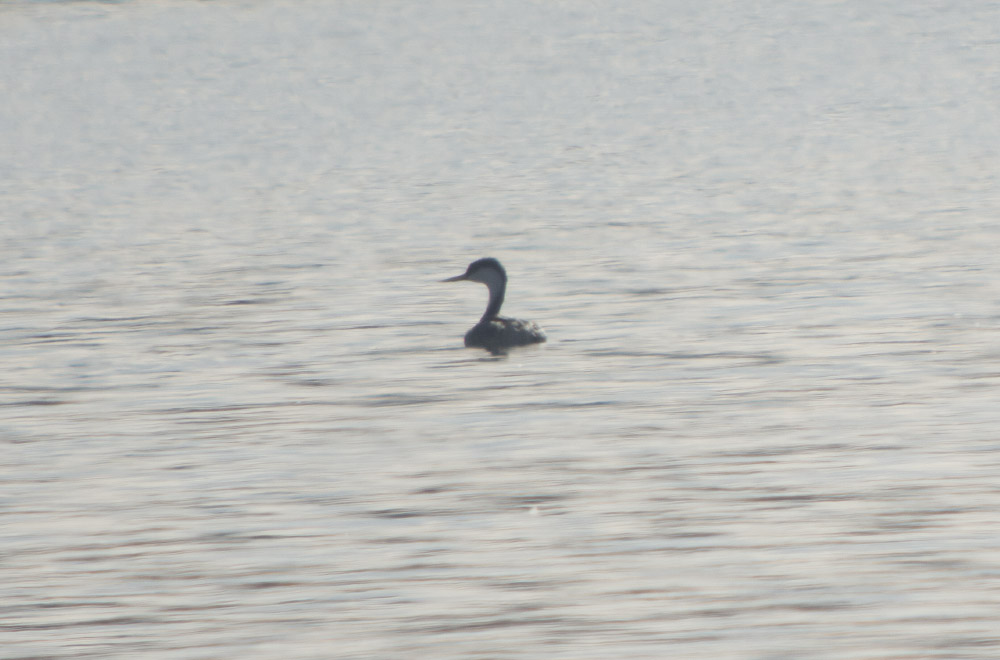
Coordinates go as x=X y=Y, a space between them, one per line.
x=496 y=333
